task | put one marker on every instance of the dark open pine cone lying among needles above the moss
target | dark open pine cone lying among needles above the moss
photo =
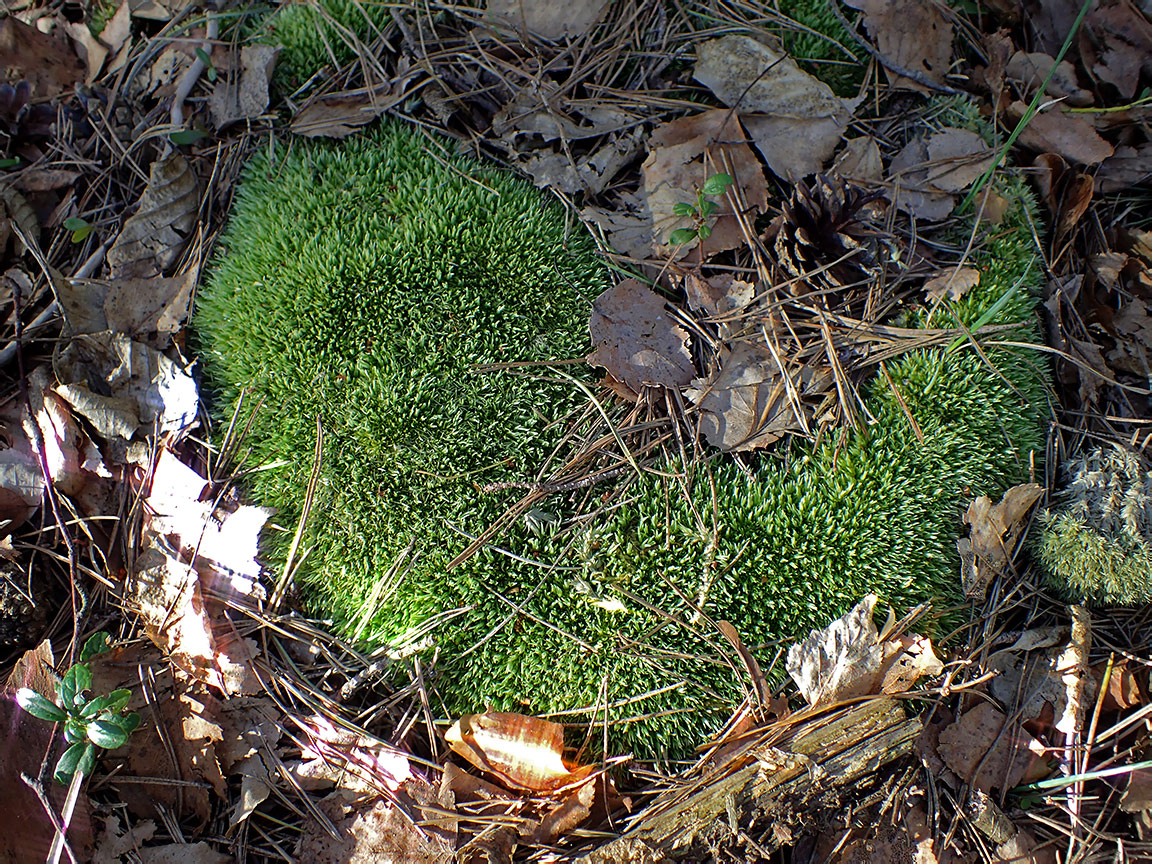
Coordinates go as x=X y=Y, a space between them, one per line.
x=822 y=226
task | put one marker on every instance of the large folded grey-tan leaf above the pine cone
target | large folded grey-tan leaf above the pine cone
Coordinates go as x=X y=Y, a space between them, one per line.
x=794 y=119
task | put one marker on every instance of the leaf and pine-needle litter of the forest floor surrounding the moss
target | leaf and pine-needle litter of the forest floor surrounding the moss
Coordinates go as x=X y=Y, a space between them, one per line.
x=680 y=138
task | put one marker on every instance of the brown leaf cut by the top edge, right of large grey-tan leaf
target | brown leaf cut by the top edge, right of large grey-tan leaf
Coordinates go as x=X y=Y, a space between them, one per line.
x=914 y=34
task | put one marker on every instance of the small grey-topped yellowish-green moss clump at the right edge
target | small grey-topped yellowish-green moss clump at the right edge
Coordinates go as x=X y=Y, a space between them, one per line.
x=1097 y=542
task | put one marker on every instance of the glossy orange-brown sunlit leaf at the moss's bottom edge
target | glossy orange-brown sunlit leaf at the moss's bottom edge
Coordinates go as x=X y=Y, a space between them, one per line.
x=525 y=753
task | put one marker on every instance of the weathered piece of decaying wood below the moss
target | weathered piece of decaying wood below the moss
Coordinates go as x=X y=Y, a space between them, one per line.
x=793 y=777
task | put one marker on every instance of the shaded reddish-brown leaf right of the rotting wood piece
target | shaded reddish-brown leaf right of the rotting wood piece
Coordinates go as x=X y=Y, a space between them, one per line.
x=965 y=748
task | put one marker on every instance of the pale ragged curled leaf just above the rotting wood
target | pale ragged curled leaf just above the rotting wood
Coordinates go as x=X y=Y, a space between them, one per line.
x=848 y=660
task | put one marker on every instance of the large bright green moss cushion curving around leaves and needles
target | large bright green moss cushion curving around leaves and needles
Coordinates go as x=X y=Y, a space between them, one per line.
x=363 y=283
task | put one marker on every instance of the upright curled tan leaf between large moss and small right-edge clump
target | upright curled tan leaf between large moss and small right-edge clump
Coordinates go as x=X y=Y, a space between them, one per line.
x=996 y=532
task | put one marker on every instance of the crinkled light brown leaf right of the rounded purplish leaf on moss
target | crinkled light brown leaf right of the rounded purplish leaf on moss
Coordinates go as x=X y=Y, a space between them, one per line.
x=745 y=405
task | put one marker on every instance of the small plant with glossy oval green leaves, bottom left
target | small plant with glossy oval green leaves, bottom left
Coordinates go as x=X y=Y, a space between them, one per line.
x=89 y=722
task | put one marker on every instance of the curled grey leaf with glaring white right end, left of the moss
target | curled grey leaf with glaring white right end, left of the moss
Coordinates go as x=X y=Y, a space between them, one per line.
x=123 y=388
